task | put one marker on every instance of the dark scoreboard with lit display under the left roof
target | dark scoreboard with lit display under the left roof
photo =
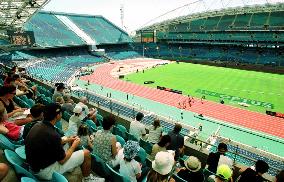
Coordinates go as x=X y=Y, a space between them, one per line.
x=21 y=38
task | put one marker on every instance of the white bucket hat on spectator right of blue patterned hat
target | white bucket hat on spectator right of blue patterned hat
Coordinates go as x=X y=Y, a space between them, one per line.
x=163 y=163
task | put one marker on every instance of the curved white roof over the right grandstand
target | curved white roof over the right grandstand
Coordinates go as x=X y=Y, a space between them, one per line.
x=203 y=7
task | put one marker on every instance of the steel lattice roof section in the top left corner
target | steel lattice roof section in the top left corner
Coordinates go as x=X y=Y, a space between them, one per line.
x=14 y=13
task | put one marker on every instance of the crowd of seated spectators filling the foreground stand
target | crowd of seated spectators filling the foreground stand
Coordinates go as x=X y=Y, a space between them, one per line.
x=48 y=150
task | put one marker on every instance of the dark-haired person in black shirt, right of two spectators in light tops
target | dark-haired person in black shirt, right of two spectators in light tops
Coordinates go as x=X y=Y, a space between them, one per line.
x=177 y=141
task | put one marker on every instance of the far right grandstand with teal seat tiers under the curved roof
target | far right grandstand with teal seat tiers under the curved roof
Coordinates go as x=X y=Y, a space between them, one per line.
x=249 y=35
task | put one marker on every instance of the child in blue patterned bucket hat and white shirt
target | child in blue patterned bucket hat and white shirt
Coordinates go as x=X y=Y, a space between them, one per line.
x=129 y=167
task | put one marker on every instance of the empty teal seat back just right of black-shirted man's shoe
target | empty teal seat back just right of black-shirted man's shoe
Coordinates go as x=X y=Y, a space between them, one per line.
x=99 y=166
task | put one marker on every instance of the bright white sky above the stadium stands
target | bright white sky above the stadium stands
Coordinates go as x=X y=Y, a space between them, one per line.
x=138 y=13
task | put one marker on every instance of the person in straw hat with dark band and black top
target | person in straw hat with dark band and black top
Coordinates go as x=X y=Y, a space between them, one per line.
x=192 y=171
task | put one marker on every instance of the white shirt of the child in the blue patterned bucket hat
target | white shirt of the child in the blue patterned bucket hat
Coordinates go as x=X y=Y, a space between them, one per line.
x=130 y=169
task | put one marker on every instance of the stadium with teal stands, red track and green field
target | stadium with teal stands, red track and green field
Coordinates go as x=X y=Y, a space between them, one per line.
x=217 y=72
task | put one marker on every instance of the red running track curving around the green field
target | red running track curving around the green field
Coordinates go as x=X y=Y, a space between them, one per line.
x=252 y=120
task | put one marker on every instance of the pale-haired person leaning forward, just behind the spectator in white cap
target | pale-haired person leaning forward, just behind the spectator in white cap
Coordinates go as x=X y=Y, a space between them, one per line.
x=86 y=112
